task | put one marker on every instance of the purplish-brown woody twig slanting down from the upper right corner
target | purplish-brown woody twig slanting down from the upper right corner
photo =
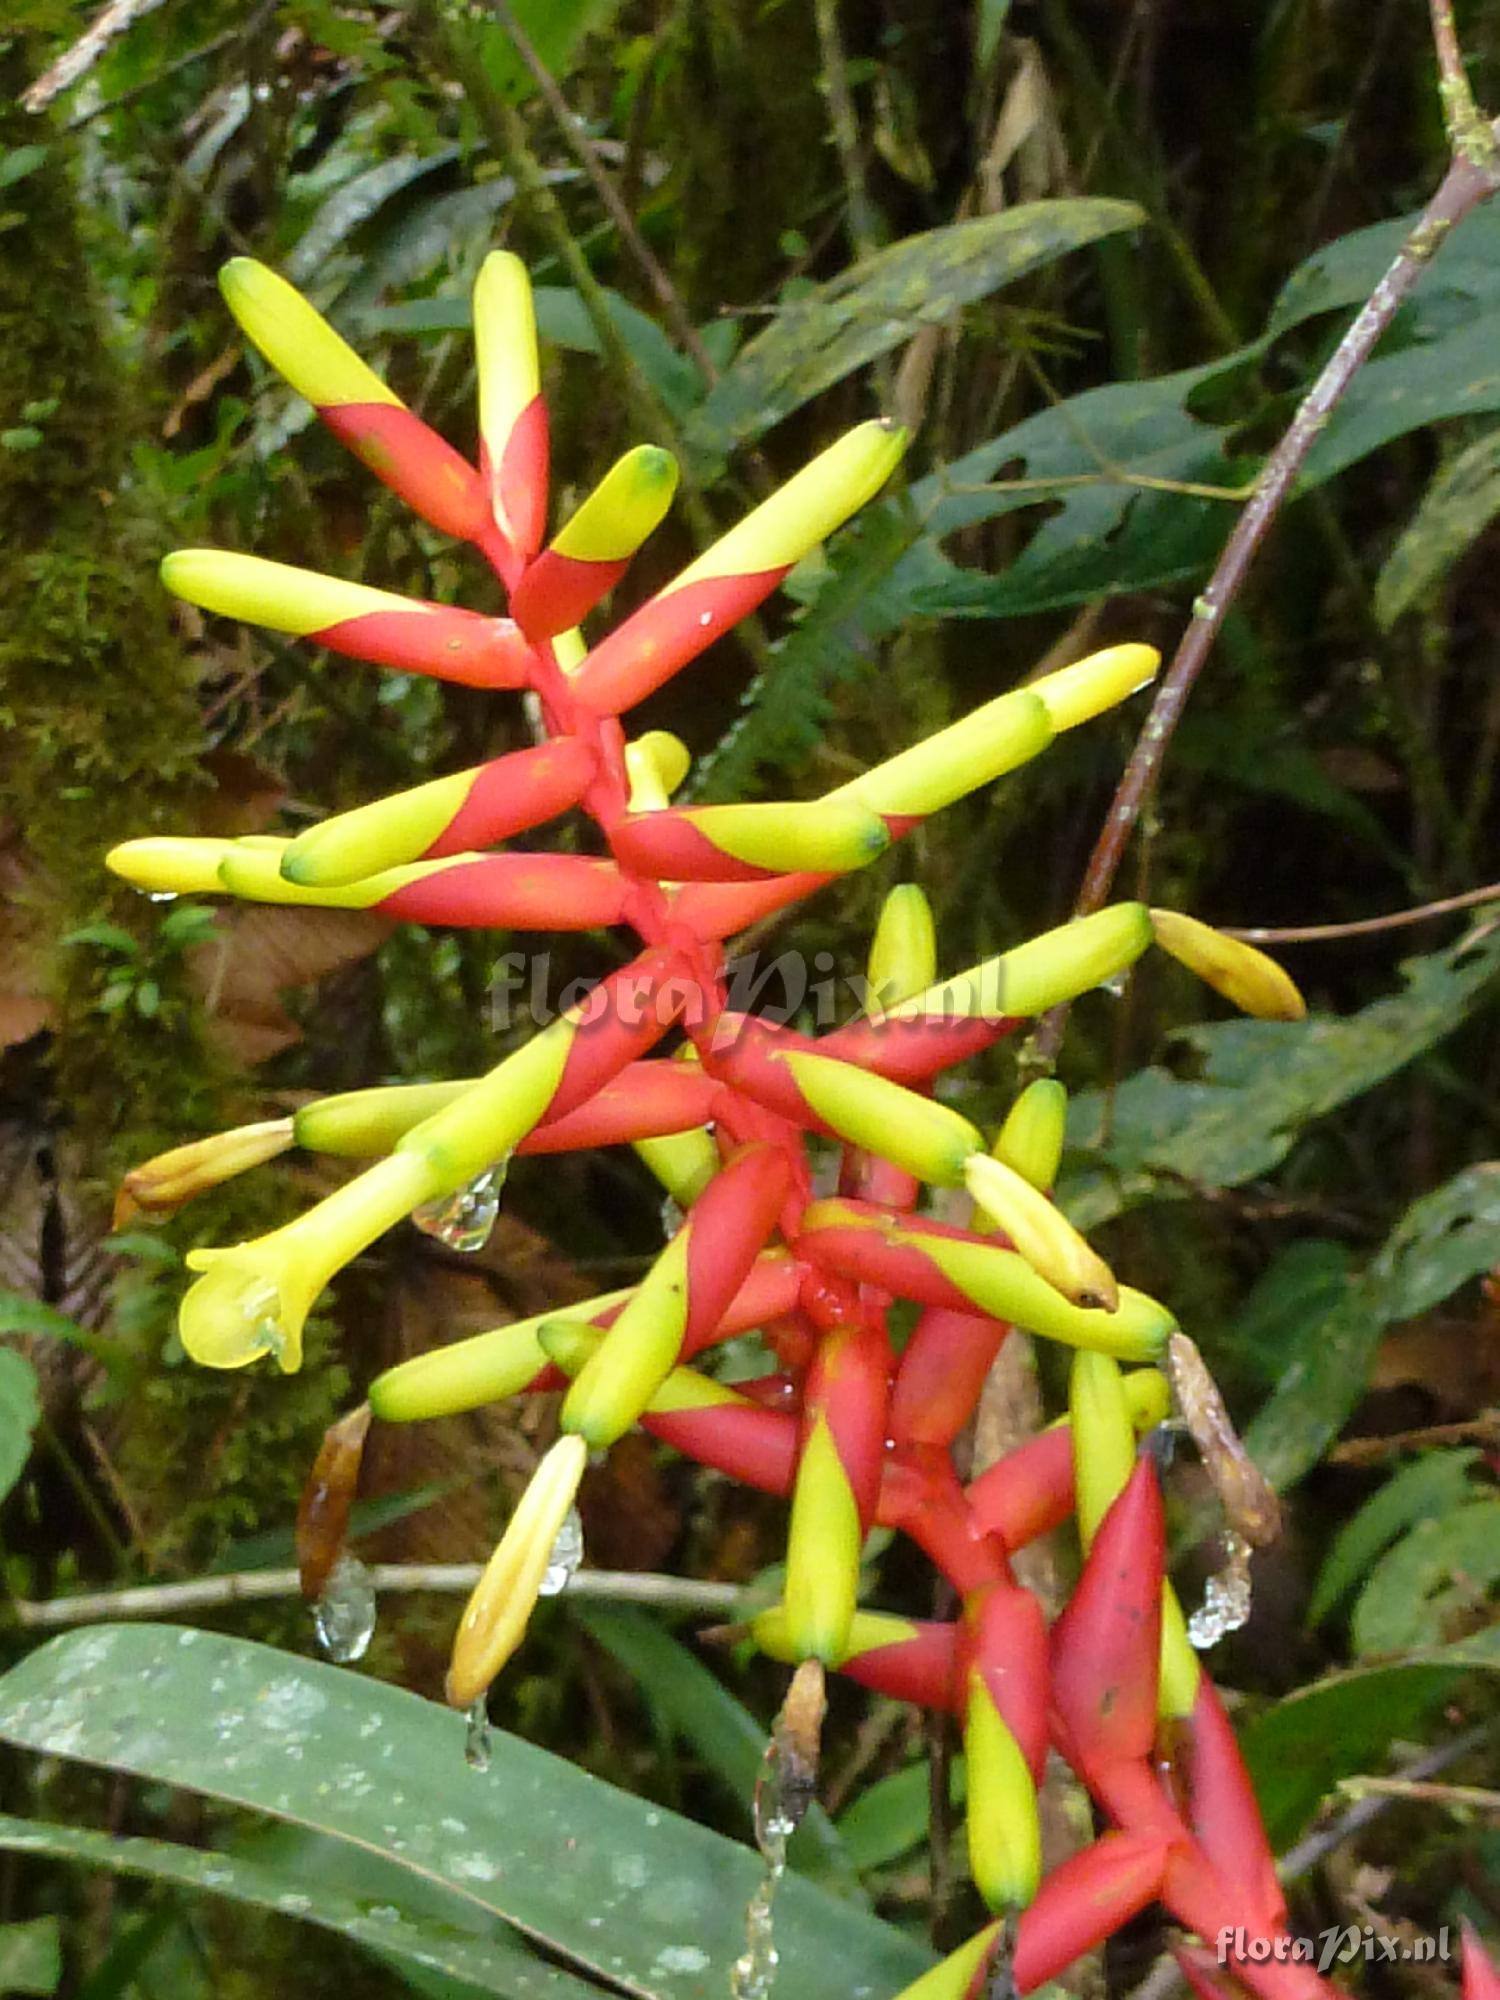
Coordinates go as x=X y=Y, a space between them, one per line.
x=1465 y=187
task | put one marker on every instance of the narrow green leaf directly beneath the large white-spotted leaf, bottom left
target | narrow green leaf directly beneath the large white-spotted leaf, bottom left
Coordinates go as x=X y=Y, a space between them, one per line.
x=493 y=1961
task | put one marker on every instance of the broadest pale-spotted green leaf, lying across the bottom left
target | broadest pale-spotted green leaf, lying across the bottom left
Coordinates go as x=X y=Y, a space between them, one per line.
x=607 y=1885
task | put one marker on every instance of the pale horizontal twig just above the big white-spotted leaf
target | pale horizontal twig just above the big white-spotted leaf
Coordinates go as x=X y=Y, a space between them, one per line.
x=251 y=1587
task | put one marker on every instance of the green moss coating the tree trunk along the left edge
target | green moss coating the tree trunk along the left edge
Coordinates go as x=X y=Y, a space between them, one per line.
x=99 y=707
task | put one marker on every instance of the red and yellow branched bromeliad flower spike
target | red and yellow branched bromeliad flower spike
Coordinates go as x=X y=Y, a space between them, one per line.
x=853 y=1431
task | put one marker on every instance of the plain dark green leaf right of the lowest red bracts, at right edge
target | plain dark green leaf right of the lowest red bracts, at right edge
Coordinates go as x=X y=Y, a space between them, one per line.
x=1303 y=1747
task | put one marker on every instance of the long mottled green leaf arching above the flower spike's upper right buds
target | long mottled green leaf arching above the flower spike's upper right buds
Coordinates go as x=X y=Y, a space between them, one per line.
x=881 y=303
